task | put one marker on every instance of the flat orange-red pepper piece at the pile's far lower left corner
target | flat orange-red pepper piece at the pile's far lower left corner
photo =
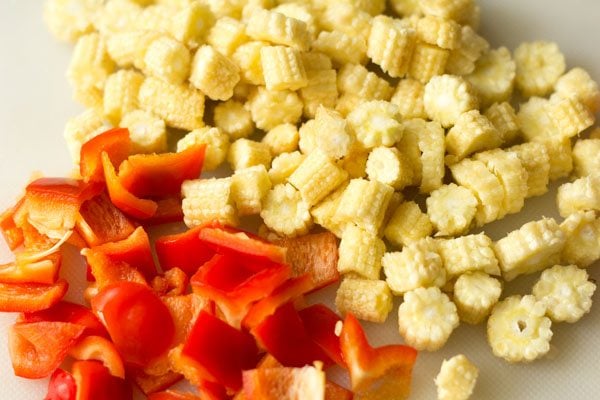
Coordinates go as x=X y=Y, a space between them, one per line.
x=37 y=348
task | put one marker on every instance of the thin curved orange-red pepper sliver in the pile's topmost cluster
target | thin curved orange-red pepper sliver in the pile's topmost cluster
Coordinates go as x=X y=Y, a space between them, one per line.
x=123 y=199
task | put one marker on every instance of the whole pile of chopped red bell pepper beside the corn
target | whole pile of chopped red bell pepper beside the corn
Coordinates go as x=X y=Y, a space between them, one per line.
x=226 y=312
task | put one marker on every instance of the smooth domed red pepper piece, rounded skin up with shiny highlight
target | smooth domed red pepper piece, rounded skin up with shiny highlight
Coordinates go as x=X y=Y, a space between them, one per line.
x=139 y=323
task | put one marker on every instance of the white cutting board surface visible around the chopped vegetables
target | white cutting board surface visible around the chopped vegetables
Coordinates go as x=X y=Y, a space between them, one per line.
x=35 y=103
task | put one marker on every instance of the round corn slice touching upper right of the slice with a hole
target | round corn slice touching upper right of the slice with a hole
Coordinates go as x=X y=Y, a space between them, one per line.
x=566 y=291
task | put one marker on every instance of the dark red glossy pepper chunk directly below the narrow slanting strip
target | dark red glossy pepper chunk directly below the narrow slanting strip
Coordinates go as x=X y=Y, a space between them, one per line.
x=284 y=336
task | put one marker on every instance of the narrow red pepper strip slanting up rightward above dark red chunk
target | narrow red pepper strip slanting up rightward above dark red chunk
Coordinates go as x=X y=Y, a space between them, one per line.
x=288 y=291
